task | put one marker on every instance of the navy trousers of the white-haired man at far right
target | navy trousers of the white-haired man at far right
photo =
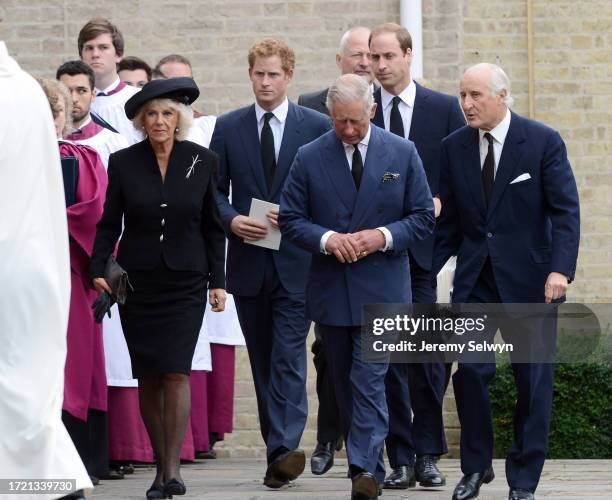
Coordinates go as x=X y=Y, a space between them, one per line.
x=534 y=384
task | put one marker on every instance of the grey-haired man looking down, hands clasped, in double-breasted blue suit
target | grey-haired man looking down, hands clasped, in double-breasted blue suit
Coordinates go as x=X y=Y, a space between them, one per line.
x=356 y=198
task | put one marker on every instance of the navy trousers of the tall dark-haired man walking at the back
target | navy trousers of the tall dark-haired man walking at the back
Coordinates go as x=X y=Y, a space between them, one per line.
x=418 y=388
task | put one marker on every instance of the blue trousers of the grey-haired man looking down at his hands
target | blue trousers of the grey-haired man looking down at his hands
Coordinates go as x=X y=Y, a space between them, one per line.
x=361 y=398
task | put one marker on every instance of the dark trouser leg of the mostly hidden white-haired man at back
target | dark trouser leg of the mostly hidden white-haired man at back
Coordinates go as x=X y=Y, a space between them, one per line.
x=328 y=428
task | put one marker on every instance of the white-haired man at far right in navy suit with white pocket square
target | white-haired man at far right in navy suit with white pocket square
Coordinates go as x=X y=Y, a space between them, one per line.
x=510 y=213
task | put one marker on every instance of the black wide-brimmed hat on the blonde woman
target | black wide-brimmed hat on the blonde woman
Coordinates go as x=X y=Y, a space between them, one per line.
x=183 y=90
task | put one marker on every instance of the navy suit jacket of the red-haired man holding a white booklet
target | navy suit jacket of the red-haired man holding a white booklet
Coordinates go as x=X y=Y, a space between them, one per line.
x=236 y=141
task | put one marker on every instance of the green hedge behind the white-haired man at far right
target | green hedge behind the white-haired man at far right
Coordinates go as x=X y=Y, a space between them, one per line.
x=581 y=425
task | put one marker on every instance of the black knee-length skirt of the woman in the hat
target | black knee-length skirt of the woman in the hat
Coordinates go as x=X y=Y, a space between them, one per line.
x=161 y=319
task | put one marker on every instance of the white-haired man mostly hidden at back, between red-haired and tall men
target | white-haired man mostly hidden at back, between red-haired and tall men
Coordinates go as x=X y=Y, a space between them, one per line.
x=353 y=56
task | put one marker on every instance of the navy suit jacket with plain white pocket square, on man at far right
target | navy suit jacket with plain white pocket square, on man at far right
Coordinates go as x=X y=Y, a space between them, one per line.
x=530 y=229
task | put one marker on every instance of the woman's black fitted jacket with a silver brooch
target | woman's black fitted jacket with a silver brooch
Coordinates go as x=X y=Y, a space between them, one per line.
x=176 y=220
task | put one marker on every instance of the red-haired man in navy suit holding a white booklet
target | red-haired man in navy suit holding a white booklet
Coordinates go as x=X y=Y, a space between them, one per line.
x=256 y=146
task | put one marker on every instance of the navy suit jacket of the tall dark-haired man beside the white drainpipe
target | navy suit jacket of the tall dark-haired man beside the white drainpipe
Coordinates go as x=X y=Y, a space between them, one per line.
x=435 y=116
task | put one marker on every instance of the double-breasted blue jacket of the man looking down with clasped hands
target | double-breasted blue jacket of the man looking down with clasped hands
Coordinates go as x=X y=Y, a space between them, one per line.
x=320 y=195
